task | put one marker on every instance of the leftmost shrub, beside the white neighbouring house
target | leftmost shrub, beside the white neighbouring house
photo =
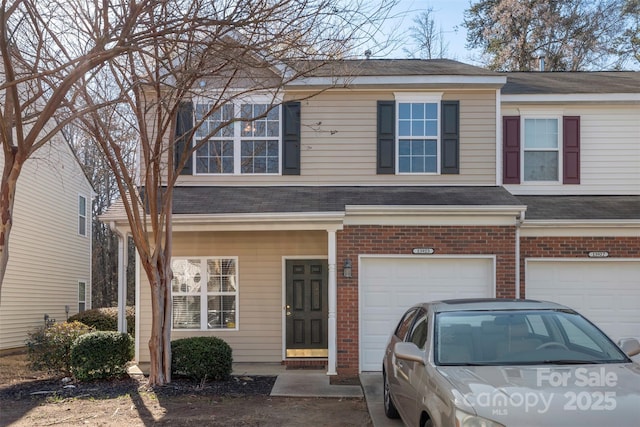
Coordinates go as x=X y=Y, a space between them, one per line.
x=49 y=349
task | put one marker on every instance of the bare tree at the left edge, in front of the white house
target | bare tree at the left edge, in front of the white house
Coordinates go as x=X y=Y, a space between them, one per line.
x=46 y=48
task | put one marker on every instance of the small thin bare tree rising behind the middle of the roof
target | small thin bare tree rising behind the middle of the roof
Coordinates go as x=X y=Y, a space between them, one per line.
x=429 y=38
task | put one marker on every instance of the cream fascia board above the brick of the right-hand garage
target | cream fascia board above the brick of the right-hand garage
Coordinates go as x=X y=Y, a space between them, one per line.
x=581 y=228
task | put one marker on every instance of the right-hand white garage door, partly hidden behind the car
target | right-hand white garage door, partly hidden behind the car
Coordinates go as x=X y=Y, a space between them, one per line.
x=606 y=292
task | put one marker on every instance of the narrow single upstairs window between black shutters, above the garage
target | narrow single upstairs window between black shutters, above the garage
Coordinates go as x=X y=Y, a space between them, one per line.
x=418 y=129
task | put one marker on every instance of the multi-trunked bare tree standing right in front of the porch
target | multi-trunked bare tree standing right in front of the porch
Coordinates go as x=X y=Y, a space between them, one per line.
x=239 y=48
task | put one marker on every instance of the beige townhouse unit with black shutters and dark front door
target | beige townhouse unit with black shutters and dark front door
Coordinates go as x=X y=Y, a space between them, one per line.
x=316 y=226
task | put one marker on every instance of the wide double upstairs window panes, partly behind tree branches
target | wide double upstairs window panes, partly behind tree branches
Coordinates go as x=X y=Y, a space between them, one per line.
x=250 y=145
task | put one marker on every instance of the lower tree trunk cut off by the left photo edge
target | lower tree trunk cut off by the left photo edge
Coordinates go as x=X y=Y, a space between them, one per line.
x=10 y=175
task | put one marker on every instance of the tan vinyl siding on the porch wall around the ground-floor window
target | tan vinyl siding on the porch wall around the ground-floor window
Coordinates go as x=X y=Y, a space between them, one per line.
x=260 y=286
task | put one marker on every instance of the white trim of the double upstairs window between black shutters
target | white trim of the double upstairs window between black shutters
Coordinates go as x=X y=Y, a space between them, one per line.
x=254 y=98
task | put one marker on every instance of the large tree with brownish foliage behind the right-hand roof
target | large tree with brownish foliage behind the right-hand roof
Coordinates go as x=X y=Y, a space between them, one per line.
x=571 y=35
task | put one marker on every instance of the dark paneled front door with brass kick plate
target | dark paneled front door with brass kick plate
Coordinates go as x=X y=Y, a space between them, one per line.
x=306 y=308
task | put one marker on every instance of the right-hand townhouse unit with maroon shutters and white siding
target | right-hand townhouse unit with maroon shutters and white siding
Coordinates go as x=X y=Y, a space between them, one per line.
x=571 y=154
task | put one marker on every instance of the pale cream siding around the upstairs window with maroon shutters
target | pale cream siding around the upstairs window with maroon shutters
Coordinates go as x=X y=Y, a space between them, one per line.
x=609 y=150
